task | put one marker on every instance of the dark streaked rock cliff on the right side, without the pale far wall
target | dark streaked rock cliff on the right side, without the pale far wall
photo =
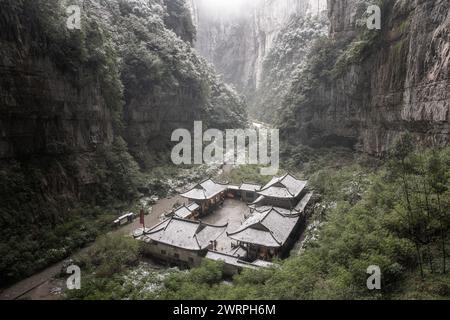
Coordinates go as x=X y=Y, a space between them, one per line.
x=384 y=82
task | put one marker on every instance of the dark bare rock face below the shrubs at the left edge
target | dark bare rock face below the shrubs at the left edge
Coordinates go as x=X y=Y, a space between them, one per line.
x=48 y=114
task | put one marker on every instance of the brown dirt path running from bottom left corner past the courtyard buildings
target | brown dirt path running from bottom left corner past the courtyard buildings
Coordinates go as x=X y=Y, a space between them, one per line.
x=45 y=285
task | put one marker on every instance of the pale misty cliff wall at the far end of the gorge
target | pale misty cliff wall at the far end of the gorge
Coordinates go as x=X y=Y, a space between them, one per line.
x=239 y=39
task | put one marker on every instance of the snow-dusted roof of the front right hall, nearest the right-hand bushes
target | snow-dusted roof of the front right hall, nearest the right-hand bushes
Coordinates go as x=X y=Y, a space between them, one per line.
x=269 y=228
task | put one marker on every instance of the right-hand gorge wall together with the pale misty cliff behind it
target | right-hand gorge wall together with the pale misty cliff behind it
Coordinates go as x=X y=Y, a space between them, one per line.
x=324 y=79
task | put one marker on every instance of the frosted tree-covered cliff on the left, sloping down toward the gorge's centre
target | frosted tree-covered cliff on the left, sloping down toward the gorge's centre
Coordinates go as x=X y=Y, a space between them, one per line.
x=167 y=84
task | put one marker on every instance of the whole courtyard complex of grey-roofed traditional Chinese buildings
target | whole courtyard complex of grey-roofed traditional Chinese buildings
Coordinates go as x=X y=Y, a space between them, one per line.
x=269 y=230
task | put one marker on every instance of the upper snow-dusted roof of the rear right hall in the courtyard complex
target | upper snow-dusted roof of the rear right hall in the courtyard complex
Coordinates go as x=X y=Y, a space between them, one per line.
x=286 y=187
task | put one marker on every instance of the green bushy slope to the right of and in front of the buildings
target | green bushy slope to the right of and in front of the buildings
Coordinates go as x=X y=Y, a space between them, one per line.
x=395 y=216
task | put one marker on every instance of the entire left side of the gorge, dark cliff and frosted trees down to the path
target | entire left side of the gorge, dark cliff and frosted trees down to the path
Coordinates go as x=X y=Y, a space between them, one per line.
x=80 y=109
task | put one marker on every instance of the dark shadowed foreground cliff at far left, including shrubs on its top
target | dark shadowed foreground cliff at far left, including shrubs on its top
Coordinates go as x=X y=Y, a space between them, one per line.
x=51 y=104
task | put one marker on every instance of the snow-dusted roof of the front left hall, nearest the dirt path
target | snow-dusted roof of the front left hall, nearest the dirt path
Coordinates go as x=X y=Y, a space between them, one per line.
x=185 y=234
